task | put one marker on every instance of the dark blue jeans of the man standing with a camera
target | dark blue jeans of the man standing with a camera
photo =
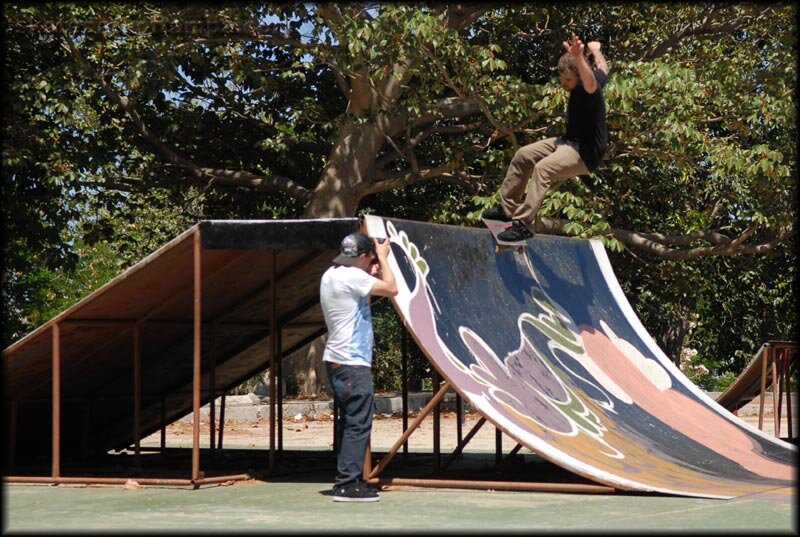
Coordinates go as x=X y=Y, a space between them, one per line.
x=352 y=388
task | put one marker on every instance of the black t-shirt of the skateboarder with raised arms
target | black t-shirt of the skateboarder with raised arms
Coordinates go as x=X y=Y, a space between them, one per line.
x=586 y=121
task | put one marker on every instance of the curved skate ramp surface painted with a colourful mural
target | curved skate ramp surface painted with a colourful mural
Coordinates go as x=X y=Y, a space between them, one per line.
x=546 y=346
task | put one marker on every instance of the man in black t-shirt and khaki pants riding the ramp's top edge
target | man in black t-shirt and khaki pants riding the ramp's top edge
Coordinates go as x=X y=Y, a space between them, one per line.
x=548 y=163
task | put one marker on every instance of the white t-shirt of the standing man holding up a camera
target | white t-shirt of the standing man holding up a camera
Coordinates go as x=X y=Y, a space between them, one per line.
x=344 y=297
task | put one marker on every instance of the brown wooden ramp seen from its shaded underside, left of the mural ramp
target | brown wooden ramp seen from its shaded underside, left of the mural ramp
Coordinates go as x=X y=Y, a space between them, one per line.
x=239 y=262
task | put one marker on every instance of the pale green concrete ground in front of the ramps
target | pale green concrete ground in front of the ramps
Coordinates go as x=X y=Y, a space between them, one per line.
x=304 y=505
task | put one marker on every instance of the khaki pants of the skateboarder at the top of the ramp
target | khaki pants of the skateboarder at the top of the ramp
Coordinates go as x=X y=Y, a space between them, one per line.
x=546 y=164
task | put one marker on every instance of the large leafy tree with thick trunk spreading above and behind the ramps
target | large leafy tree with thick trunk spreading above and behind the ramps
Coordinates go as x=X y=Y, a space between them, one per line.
x=328 y=109
